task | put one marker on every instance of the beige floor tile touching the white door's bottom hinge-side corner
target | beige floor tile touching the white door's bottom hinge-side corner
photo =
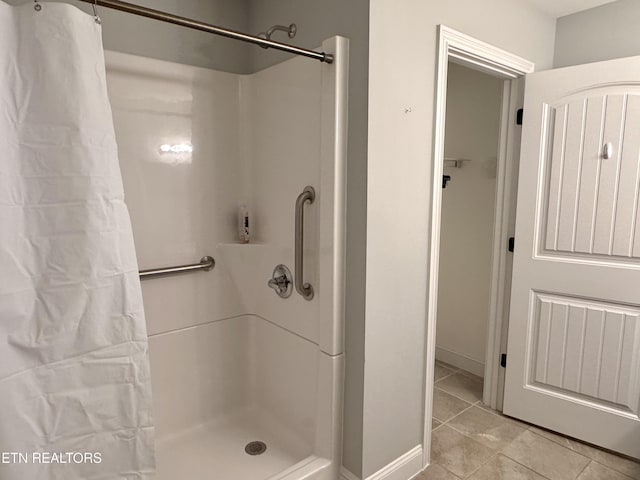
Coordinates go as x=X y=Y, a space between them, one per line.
x=491 y=430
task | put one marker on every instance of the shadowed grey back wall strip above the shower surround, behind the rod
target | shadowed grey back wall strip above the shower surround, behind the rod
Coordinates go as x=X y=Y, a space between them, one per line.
x=128 y=33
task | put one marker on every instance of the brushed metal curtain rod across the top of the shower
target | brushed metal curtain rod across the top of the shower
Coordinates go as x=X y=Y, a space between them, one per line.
x=205 y=27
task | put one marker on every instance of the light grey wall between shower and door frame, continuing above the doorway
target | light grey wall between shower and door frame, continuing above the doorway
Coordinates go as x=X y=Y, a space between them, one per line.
x=402 y=60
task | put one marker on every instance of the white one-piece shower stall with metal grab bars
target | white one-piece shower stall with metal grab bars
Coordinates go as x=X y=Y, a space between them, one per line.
x=246 y=384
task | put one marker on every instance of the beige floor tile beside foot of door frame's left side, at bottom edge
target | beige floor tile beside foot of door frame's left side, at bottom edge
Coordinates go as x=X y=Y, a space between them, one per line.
x=458 y=454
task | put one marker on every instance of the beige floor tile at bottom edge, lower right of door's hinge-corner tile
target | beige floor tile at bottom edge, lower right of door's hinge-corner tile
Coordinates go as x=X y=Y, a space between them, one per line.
x=546 y=457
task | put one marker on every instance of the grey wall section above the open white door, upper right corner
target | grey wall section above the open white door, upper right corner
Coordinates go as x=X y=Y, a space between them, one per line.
x=601 y=33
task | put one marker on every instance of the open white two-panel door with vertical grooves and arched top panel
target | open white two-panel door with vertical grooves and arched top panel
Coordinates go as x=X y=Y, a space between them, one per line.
x=573 y=361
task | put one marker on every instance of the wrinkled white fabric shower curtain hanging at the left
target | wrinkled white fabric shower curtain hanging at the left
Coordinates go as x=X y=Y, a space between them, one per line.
x=75 y=394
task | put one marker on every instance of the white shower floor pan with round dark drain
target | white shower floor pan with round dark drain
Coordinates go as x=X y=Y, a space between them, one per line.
x=216 y=450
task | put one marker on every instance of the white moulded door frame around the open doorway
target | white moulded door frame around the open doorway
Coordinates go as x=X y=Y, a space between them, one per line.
x=470 y=52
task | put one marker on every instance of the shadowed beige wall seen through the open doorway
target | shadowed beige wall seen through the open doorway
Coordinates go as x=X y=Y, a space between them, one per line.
x=468 y=203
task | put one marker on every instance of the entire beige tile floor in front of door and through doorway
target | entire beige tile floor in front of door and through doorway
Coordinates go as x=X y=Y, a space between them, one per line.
x=471 y=441
